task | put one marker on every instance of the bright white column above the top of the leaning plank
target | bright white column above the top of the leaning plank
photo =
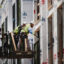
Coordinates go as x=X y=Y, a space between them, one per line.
x=10 y=23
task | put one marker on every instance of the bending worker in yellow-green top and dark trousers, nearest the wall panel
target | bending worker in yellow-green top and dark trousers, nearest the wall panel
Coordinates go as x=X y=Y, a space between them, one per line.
x=24 y=33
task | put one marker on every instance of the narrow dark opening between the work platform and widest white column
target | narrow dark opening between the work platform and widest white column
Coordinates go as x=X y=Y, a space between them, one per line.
x=37 y=49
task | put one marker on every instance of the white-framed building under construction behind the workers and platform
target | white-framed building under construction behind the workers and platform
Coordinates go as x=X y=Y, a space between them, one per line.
x=48 y=17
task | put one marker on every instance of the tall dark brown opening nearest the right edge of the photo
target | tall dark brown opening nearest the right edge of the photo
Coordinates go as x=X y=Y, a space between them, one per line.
x=60 y=34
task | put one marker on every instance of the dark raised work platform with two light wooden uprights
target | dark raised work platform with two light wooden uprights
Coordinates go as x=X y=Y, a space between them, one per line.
x=13 y=52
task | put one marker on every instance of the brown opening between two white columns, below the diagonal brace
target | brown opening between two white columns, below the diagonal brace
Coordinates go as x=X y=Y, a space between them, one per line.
x=50 y=41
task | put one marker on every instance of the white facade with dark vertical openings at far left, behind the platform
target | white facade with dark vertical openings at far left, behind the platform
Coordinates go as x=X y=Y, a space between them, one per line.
x=9 y=22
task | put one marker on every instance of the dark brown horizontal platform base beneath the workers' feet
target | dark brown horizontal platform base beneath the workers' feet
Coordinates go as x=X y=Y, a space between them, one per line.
x=23 y=54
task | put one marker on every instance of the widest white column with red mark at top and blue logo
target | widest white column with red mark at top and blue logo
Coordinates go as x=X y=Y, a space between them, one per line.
x=44 y=33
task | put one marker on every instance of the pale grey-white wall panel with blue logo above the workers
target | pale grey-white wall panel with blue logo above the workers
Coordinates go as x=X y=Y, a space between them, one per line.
x=27 y=7
